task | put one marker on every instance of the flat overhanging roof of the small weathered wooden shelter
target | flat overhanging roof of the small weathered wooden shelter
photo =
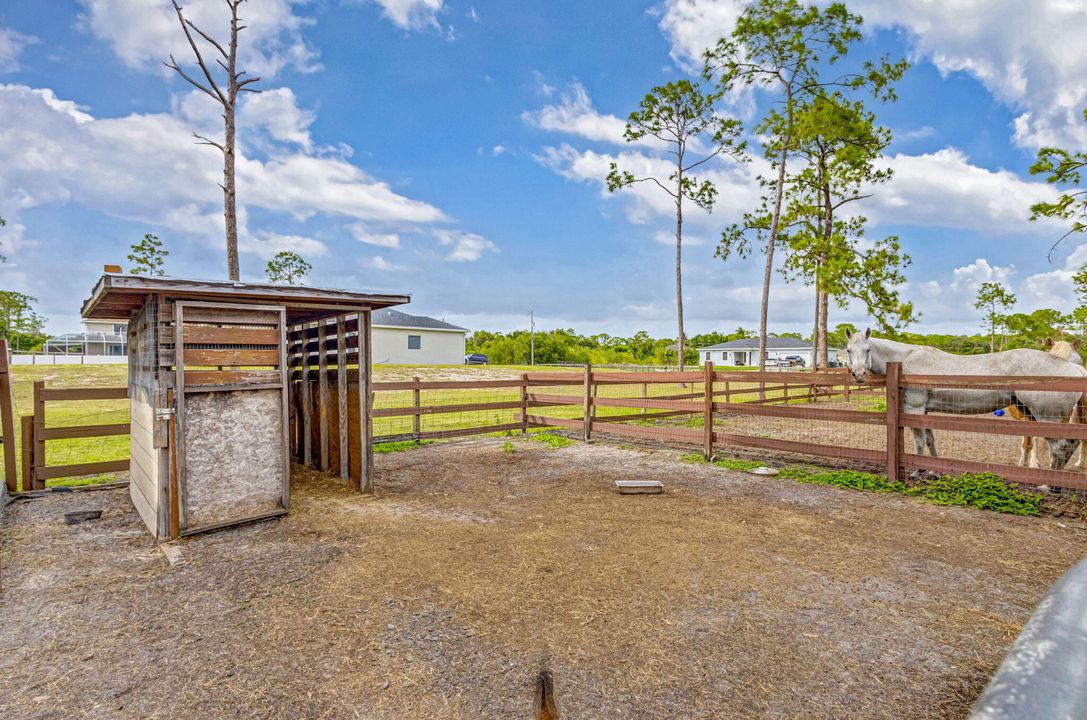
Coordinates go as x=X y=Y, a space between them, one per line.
x=117 y=296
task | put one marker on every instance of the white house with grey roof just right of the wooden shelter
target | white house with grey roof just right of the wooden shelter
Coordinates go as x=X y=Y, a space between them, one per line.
x=402 y=339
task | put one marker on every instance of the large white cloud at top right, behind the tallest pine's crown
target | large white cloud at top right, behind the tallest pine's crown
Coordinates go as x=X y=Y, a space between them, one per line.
x=1029 y=55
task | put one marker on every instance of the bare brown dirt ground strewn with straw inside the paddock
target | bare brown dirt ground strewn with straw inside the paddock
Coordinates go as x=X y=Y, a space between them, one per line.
x=474 y=568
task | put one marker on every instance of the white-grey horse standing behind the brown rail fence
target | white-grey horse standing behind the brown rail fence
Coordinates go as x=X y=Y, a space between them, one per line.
x=869 y=355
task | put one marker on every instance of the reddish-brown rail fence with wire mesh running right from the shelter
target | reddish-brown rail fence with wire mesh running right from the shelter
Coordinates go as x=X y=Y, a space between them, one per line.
x=647 y=407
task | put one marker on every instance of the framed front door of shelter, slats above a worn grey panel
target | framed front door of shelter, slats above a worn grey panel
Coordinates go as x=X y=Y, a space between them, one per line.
x=232 y=418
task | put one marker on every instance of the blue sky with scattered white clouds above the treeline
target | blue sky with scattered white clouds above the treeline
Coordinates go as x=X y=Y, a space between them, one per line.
x=456 y=152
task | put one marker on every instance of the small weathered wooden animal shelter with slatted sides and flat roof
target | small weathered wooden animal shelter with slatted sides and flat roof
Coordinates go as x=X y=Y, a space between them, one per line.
x=223 y=390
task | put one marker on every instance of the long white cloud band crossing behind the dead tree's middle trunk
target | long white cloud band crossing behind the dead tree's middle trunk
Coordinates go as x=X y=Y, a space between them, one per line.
x=146 y=168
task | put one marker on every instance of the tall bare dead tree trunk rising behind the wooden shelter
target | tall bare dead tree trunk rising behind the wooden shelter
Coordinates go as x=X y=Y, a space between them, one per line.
x=235 y=84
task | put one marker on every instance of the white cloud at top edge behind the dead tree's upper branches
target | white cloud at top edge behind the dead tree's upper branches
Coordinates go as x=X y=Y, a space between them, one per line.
x=144 y=34
